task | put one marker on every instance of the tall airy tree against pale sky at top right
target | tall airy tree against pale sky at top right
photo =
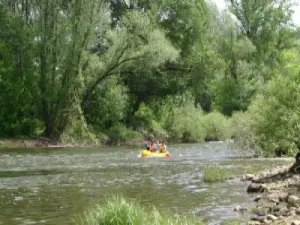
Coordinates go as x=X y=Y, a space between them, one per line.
x=267 y=24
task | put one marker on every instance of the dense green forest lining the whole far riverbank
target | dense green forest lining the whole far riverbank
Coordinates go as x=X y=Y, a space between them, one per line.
x=98 y=71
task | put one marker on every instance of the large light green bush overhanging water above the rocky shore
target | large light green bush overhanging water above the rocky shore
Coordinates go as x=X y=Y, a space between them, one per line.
x=275 y=116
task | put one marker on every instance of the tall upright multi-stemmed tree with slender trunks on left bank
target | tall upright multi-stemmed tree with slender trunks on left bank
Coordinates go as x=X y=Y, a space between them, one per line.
x=64 y=33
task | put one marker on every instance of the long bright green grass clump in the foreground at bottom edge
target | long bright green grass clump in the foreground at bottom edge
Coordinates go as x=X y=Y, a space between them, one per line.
x=118 y=211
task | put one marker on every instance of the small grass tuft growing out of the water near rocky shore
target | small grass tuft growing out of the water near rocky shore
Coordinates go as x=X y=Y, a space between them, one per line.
x=214 y=174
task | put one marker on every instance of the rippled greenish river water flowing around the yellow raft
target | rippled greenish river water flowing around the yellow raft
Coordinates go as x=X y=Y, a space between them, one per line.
x=52 y=186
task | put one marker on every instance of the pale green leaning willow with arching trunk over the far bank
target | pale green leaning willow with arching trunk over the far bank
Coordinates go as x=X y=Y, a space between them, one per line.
x=131 y=51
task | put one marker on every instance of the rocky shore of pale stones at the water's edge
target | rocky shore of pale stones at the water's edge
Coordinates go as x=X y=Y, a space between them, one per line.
x=277 y=196
